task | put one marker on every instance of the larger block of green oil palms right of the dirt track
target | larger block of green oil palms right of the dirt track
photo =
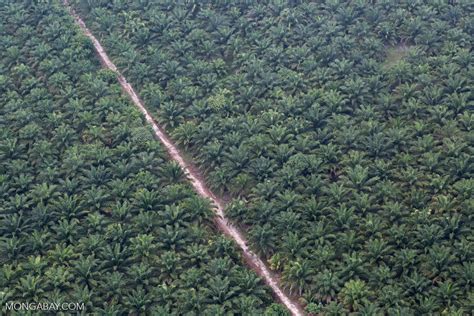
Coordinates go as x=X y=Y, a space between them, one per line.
x=342 y=129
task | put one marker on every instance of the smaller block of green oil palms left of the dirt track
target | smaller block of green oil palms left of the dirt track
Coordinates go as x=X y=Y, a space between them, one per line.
x=91 y=211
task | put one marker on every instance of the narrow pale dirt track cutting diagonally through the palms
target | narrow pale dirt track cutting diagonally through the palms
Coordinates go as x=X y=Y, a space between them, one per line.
x=198 y=183
